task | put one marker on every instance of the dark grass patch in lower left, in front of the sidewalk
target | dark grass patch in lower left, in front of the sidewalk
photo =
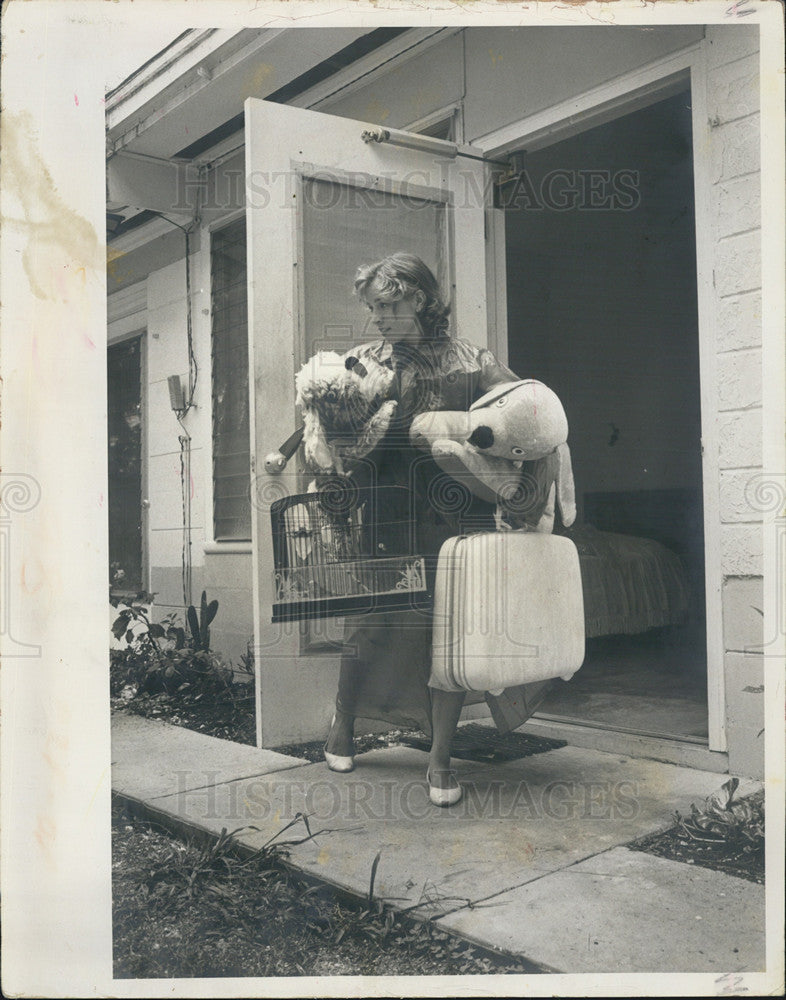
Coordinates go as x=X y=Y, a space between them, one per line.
x=199 y=909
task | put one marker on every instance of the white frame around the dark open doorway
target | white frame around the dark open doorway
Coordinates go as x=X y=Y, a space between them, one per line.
x=613 y=99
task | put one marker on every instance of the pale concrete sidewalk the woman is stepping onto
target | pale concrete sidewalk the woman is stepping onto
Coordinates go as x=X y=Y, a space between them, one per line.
x=532 y=860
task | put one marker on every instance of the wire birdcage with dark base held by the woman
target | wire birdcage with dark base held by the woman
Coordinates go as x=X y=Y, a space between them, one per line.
x=346 y=550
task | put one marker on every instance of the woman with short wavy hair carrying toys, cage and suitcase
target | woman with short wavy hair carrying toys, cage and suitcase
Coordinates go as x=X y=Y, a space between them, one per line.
x=385 y=663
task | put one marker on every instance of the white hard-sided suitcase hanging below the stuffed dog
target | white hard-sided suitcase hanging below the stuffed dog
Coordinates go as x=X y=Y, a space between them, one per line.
x=508 y=610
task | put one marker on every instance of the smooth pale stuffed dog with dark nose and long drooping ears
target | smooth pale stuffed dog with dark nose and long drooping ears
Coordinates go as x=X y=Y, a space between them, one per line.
x=510 y=448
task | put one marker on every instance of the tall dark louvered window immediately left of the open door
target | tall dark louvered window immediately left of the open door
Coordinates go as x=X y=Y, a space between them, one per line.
x=231 y=452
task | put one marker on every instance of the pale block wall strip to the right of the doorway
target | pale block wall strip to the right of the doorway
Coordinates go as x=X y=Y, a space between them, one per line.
x=735 y=207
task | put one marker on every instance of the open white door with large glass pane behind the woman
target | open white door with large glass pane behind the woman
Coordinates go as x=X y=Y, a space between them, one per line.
x=321 y=200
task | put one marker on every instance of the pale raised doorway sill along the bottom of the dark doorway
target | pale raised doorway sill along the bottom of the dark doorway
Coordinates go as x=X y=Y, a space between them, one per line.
x=669 y=750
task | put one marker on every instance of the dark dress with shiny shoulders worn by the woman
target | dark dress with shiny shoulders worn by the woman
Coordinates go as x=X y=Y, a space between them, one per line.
x=385 y=663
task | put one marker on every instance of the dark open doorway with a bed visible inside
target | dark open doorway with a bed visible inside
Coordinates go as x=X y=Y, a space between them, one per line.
x=602 y=307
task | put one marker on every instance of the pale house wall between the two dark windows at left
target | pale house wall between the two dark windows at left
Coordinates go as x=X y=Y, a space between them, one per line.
x=222 y=569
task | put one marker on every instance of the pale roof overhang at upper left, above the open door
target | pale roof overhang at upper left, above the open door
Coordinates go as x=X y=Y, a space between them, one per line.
x=185 y=106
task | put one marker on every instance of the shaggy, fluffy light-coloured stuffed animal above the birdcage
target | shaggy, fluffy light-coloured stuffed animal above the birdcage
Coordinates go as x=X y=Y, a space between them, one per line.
x=345 y=406
